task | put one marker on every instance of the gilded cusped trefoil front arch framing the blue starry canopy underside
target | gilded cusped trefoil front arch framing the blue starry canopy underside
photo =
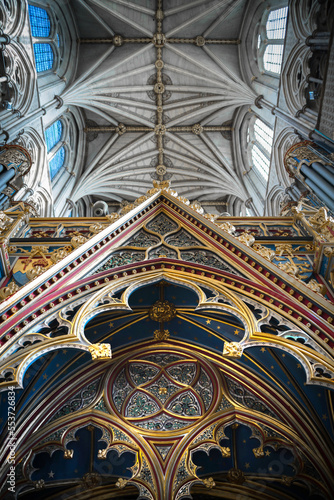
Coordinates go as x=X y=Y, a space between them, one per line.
x=212 y=297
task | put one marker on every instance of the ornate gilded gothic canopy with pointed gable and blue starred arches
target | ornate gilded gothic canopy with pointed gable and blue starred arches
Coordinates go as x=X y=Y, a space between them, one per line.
x=164 y=352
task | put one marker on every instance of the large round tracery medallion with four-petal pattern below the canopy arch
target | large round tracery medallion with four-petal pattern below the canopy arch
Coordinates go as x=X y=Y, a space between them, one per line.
x=163 y=391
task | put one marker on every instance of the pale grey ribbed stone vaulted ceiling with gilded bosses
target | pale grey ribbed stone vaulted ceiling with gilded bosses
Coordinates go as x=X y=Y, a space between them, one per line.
x=164 y=82
